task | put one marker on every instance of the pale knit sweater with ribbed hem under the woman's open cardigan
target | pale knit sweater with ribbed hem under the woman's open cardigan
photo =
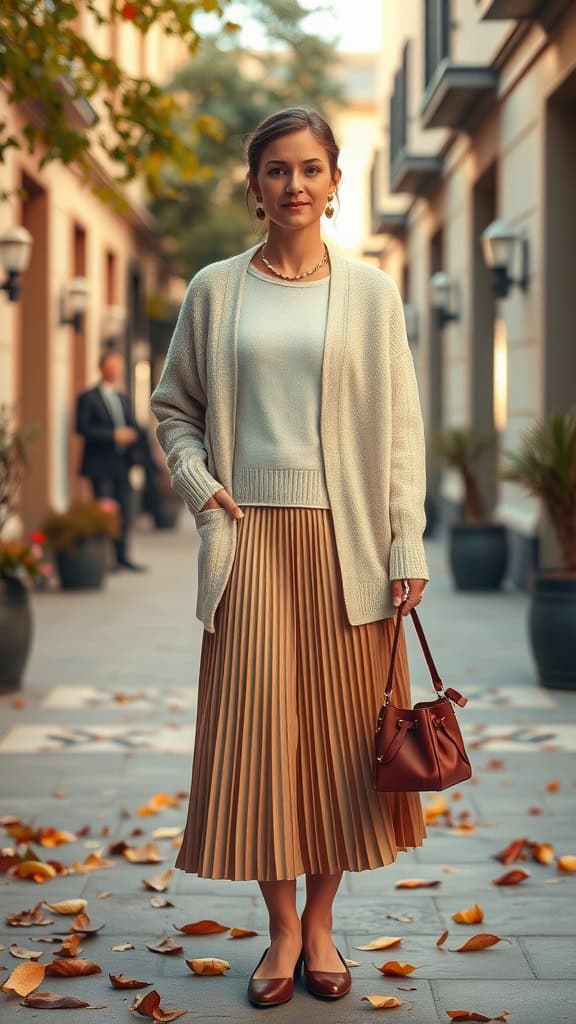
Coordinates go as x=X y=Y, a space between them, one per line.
x=278 y=454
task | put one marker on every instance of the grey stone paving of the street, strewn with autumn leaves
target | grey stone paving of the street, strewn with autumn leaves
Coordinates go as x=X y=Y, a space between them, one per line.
x=108 y=723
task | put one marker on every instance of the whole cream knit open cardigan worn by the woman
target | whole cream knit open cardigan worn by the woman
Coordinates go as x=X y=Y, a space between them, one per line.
x=372 y=430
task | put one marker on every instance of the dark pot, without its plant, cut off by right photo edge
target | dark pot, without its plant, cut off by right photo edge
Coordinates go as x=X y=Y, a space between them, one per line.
x=553 y=629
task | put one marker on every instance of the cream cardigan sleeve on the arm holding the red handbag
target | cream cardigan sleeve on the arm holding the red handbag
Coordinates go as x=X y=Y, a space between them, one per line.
x=408 y=484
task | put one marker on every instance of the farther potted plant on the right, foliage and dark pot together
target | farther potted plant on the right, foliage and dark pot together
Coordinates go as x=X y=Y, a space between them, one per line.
x=478 y=547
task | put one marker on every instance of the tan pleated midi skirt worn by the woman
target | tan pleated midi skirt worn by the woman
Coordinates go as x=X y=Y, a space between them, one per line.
x=289 y=696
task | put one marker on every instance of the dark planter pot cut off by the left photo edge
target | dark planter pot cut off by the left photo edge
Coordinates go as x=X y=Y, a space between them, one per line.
x=16 y=633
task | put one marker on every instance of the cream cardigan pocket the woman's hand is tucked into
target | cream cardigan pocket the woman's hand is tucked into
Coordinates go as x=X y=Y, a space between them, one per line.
x=216 y=557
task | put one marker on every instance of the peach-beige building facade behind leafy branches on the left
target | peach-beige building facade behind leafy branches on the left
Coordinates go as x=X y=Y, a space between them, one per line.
x=45 y=363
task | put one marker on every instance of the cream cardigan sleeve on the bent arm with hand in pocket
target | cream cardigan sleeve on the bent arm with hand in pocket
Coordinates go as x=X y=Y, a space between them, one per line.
x=179 y=402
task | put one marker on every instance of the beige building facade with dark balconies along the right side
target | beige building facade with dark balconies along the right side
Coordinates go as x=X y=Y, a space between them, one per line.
x=479 y=108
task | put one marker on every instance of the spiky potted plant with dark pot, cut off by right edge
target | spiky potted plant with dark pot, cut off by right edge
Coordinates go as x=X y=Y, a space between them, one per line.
x=546 y=467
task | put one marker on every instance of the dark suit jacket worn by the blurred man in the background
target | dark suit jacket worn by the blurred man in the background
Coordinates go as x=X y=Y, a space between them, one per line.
x=95 y=423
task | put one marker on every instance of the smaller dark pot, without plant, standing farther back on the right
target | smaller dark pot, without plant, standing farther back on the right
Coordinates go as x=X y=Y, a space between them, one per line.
x=478 y=557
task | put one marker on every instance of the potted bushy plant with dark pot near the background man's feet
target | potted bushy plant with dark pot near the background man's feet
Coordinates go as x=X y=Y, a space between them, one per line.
x=79 y=539
